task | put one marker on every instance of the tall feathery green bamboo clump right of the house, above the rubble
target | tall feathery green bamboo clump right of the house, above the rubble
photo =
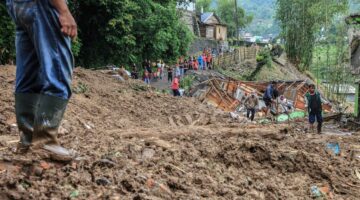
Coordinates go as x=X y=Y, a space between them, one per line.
x=300 y=21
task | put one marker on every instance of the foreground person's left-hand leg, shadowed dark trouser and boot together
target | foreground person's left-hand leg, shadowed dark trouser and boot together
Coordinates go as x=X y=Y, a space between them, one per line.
x=26 y=83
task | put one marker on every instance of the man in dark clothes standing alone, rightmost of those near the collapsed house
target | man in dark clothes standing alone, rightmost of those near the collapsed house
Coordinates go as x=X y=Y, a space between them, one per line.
x=313 y=102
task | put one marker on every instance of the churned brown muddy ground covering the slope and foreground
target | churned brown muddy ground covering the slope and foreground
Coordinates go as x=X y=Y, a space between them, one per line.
x=135 y=143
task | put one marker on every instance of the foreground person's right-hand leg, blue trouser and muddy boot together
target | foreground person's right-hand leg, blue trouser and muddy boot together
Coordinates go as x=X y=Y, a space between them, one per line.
x=56 y=63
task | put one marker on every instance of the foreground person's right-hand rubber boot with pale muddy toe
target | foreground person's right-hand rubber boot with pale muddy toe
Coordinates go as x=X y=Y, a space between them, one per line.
x=47 y=121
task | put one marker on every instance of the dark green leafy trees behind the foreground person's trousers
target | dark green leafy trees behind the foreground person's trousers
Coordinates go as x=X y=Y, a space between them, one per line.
x=117 y=32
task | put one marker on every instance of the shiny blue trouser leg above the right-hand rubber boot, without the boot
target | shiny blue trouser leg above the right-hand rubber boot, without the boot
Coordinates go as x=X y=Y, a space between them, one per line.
x=54 y=52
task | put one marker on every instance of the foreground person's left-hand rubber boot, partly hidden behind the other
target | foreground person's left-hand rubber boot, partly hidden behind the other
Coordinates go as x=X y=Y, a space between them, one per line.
x=25 y=109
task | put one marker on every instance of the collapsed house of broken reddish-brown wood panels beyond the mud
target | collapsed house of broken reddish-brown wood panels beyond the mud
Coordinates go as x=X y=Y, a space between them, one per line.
x=228 y=94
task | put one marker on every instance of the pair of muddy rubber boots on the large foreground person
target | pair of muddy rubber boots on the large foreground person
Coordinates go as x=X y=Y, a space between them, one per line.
x=38 y=117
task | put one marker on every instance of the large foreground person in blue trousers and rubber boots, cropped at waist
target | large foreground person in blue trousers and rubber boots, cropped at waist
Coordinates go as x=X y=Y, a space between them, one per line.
x=44 y=60
